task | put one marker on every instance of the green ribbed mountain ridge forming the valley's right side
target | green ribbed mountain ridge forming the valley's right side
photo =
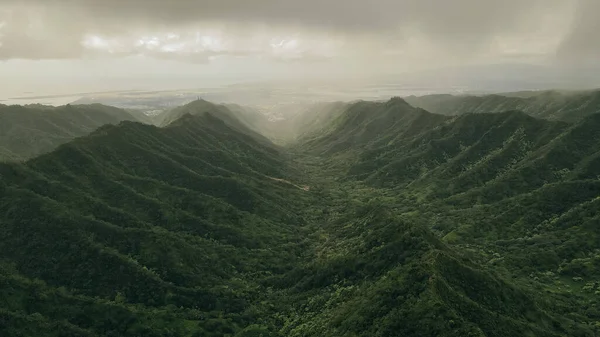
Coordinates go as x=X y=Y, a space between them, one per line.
x=517 y=194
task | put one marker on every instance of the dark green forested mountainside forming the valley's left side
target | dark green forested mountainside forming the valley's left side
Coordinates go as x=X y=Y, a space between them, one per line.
x=135 y=230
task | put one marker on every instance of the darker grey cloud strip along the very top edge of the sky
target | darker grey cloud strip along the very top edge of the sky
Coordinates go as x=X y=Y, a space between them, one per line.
x=470 y=17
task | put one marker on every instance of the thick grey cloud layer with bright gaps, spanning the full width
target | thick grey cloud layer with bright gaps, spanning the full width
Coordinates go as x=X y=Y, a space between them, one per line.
x=402 y=30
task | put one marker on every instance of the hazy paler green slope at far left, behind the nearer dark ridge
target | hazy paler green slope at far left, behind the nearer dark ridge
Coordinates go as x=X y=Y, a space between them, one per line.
x=27 y=131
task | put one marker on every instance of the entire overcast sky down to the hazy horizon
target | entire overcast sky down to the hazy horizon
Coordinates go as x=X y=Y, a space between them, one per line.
x=68 y=46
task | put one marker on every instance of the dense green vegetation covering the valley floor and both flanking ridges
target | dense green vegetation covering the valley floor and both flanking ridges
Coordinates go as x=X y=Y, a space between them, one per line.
x=381 y=220
